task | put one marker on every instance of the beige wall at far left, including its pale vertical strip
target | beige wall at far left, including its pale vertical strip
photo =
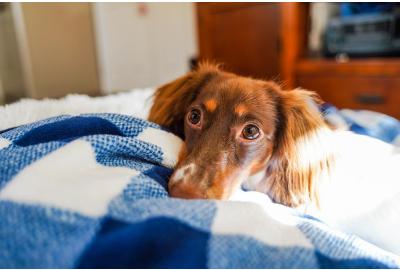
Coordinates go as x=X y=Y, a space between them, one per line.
x=47 y=50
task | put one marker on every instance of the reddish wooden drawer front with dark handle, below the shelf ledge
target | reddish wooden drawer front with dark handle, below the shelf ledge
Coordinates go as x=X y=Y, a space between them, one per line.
x=380 y=94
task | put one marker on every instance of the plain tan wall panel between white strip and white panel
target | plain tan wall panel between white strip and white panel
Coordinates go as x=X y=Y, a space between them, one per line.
x=58 y=48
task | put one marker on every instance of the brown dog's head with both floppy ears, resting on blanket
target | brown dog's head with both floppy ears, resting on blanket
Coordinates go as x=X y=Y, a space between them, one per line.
x=235 y=127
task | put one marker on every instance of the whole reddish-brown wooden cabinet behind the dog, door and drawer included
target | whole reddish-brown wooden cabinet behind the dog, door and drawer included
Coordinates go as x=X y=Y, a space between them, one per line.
x=269 y=40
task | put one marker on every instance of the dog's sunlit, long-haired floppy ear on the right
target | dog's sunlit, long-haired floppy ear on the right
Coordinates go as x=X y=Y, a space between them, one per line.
x=301 y=155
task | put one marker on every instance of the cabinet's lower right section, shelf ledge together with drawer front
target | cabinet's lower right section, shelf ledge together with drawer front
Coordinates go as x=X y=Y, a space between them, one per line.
x=369 y=84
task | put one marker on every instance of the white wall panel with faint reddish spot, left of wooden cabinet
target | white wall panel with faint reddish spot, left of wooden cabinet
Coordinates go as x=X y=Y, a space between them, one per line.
x=142 y=50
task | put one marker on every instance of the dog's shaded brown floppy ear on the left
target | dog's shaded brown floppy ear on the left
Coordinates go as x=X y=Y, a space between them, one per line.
x=172 y=99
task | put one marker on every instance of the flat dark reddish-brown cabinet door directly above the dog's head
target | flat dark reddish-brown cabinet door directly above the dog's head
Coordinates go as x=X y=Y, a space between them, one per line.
x=242 y=36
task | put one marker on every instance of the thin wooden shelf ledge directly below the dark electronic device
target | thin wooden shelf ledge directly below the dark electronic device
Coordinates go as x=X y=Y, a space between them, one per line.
x=366 y=67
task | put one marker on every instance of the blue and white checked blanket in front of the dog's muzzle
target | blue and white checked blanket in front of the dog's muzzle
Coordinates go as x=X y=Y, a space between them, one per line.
x=89 y=191
